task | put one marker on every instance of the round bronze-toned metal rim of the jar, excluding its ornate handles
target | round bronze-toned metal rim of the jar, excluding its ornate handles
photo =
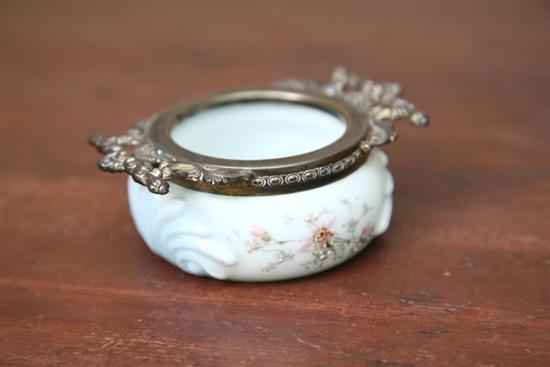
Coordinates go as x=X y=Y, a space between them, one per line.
x=280 y=174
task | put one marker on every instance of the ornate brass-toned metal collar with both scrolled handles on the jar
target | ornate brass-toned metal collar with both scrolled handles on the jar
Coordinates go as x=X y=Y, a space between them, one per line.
x=150 y=156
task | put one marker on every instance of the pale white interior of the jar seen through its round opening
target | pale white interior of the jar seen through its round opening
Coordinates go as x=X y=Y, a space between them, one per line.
x=257 y=130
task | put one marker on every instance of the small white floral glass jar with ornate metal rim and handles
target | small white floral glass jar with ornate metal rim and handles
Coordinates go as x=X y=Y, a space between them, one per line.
x=263 y=184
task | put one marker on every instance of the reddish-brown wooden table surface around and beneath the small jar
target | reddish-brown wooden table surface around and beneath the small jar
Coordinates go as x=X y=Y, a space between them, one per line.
x=462 y=277
